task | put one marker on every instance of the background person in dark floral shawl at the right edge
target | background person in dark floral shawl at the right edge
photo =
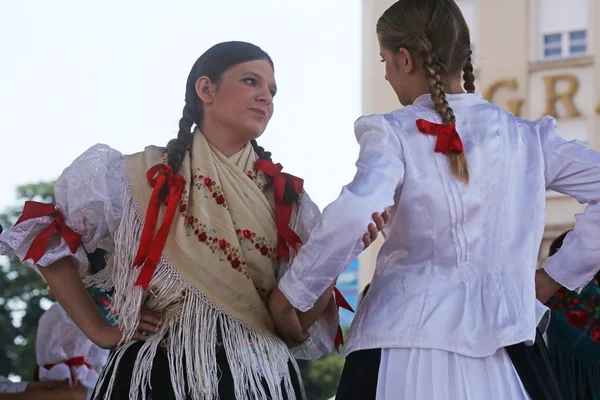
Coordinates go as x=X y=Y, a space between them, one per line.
x=574 y=337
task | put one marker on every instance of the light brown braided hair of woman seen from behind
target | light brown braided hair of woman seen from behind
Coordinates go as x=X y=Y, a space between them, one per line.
x=436 y=31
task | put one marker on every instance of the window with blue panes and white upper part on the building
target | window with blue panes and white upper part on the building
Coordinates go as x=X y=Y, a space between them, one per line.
x=562 y=28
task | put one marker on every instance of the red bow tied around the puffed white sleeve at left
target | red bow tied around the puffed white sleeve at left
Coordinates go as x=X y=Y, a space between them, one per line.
x=33 y=209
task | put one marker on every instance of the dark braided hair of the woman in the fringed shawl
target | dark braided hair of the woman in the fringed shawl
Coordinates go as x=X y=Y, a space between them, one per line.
x=212 y=64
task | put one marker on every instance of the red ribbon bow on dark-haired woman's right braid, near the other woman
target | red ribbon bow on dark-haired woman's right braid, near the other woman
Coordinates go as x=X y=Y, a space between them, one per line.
x=283 y=211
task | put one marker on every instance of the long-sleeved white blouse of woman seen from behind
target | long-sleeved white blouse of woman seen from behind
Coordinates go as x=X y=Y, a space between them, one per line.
x=456 y=271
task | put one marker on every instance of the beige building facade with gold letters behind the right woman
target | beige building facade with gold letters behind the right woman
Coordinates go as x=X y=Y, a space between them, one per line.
x=532 y=57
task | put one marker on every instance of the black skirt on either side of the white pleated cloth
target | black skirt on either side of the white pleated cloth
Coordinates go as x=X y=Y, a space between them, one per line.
x=532 y=363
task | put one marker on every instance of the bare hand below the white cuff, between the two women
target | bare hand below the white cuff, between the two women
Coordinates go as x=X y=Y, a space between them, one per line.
x=285 y=317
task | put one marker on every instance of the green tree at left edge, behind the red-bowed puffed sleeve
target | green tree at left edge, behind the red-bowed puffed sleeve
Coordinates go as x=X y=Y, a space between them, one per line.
x=22 y=293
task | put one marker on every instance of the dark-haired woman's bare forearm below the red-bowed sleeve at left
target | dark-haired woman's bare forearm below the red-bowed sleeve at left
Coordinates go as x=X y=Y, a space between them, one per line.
x=64 y=281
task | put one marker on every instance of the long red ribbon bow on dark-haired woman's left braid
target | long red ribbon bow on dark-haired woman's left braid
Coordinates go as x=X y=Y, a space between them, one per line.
x=151 y=246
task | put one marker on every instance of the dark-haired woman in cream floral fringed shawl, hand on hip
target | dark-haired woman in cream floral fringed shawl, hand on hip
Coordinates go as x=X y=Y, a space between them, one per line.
x=198 y=234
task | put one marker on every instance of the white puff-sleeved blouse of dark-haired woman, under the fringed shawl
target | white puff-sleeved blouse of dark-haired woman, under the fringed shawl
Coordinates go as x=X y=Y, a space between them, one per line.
x=91 y=193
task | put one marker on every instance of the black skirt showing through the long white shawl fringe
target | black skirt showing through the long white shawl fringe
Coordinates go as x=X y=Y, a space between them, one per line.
x=160 y=379
